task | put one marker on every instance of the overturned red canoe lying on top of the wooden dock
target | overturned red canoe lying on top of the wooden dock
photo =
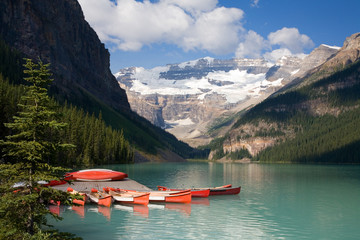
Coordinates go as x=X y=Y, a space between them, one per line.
x=95 y=175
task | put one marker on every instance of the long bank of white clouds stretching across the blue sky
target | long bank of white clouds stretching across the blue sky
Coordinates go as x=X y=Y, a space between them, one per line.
x=189 y=24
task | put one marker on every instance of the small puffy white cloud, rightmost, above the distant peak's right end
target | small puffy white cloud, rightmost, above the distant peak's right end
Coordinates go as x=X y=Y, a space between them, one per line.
x=291 y=39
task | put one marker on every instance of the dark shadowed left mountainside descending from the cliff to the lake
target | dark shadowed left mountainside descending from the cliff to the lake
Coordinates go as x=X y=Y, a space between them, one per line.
x=57 y=32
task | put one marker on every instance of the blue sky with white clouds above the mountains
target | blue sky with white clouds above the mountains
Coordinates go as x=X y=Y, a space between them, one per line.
x=153 y=33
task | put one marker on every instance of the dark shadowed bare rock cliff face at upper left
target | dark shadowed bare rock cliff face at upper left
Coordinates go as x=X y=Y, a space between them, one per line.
x=57 y=32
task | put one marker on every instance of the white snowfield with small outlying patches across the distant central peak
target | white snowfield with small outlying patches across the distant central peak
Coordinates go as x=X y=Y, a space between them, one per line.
x=233 y=85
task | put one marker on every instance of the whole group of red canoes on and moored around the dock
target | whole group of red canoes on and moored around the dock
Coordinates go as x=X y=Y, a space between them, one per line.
x=123 y=196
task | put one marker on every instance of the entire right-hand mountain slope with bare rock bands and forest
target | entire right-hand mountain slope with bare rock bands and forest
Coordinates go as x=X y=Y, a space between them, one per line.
x=316 y=120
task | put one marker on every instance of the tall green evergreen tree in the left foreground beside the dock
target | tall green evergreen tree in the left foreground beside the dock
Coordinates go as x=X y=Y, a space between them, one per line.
x=29 y=158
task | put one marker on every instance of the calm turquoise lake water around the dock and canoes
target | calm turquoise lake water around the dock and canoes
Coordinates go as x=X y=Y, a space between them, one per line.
x=277 y=201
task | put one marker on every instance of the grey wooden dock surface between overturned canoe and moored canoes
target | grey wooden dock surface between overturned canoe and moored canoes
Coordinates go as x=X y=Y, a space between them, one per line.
x=87 y=186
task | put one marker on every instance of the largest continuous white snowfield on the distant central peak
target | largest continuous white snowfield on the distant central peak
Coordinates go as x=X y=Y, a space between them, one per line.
x=234 y=85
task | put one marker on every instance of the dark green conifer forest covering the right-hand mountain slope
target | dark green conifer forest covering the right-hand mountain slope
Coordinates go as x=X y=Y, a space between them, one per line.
x=315 y=123
